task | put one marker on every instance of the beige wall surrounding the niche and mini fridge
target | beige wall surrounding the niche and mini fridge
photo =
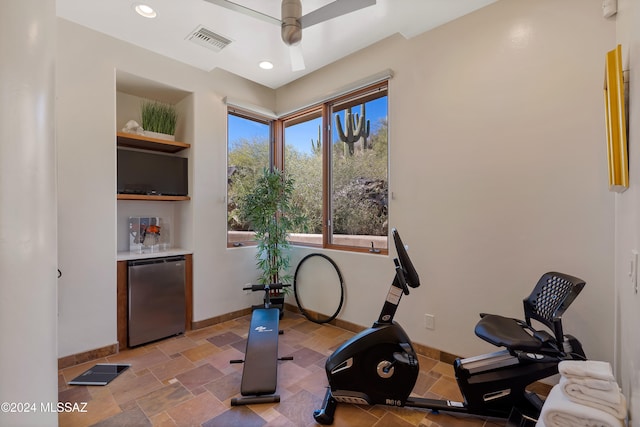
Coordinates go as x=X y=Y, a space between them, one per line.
x=87 y=64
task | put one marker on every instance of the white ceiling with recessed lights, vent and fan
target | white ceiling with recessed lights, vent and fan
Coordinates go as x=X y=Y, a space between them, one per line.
x=253 y=40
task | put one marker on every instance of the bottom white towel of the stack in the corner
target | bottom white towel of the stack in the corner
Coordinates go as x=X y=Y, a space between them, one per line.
x=559 y=411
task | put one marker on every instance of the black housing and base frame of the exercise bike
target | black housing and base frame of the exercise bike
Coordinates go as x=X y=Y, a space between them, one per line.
x=492 y=384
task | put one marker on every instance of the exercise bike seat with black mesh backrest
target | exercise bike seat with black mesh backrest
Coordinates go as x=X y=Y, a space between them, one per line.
x=551 y=296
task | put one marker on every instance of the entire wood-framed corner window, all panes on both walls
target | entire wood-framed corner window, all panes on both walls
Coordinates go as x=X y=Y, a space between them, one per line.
x=337 y=154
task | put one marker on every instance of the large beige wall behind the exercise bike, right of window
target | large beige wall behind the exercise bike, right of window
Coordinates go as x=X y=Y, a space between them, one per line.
x=498 y=167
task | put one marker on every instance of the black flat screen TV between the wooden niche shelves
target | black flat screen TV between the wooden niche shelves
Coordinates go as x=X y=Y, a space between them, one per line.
x=146 y=173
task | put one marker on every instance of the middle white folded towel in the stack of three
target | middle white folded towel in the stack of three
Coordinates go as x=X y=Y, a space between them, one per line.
x=611 y=401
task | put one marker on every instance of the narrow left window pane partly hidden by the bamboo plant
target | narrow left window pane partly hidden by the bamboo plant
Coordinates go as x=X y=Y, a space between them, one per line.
x=249 y=142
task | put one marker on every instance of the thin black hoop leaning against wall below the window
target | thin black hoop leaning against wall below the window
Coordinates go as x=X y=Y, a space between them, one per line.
x=318 y=288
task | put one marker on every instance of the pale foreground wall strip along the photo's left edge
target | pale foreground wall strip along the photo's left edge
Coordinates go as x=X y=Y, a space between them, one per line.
x=28 y=288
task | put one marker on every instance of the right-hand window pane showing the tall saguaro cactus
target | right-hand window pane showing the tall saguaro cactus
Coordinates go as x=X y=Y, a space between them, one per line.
x=358 y=194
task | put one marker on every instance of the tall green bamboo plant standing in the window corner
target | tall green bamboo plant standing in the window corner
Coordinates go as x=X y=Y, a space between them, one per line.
x=270 y=212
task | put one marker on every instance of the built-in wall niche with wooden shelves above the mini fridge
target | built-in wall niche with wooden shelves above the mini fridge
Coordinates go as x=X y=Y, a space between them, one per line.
x=131 y=92
